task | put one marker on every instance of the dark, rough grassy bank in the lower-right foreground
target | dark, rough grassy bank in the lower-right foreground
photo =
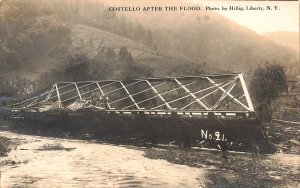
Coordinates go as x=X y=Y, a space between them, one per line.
x=231 y=170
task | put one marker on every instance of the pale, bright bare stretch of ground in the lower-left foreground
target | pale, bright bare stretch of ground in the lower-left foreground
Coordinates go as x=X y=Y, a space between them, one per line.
x=88 y=164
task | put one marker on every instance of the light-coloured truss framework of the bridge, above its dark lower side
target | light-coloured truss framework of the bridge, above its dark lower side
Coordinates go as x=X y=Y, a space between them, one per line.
x=220 y=95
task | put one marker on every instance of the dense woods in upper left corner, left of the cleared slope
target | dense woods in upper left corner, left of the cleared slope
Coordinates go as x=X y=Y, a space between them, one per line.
x=29 y=29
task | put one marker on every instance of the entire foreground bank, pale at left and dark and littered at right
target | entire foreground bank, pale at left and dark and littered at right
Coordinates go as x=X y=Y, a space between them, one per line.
x=38 y=161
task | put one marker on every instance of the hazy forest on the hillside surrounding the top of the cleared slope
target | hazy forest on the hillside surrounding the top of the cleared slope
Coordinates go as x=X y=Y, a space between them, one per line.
x=31 y=29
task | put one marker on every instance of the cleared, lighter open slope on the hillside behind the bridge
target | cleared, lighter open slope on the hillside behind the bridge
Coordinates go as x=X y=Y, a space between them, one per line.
x=91 y=40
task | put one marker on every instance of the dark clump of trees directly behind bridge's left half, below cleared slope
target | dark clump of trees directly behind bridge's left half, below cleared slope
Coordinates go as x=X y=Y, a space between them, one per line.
x=103 y=66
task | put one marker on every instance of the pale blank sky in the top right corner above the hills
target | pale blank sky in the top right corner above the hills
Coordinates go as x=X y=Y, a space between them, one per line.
x=284 y=19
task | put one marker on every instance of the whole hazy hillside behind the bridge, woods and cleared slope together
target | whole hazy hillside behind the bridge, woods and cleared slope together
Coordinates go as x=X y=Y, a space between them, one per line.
x=43 y=36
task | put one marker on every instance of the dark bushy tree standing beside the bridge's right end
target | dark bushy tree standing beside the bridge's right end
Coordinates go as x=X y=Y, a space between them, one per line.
x=265 y=86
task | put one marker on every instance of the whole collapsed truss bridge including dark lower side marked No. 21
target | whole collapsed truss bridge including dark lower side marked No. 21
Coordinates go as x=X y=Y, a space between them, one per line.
x=206 y=107
